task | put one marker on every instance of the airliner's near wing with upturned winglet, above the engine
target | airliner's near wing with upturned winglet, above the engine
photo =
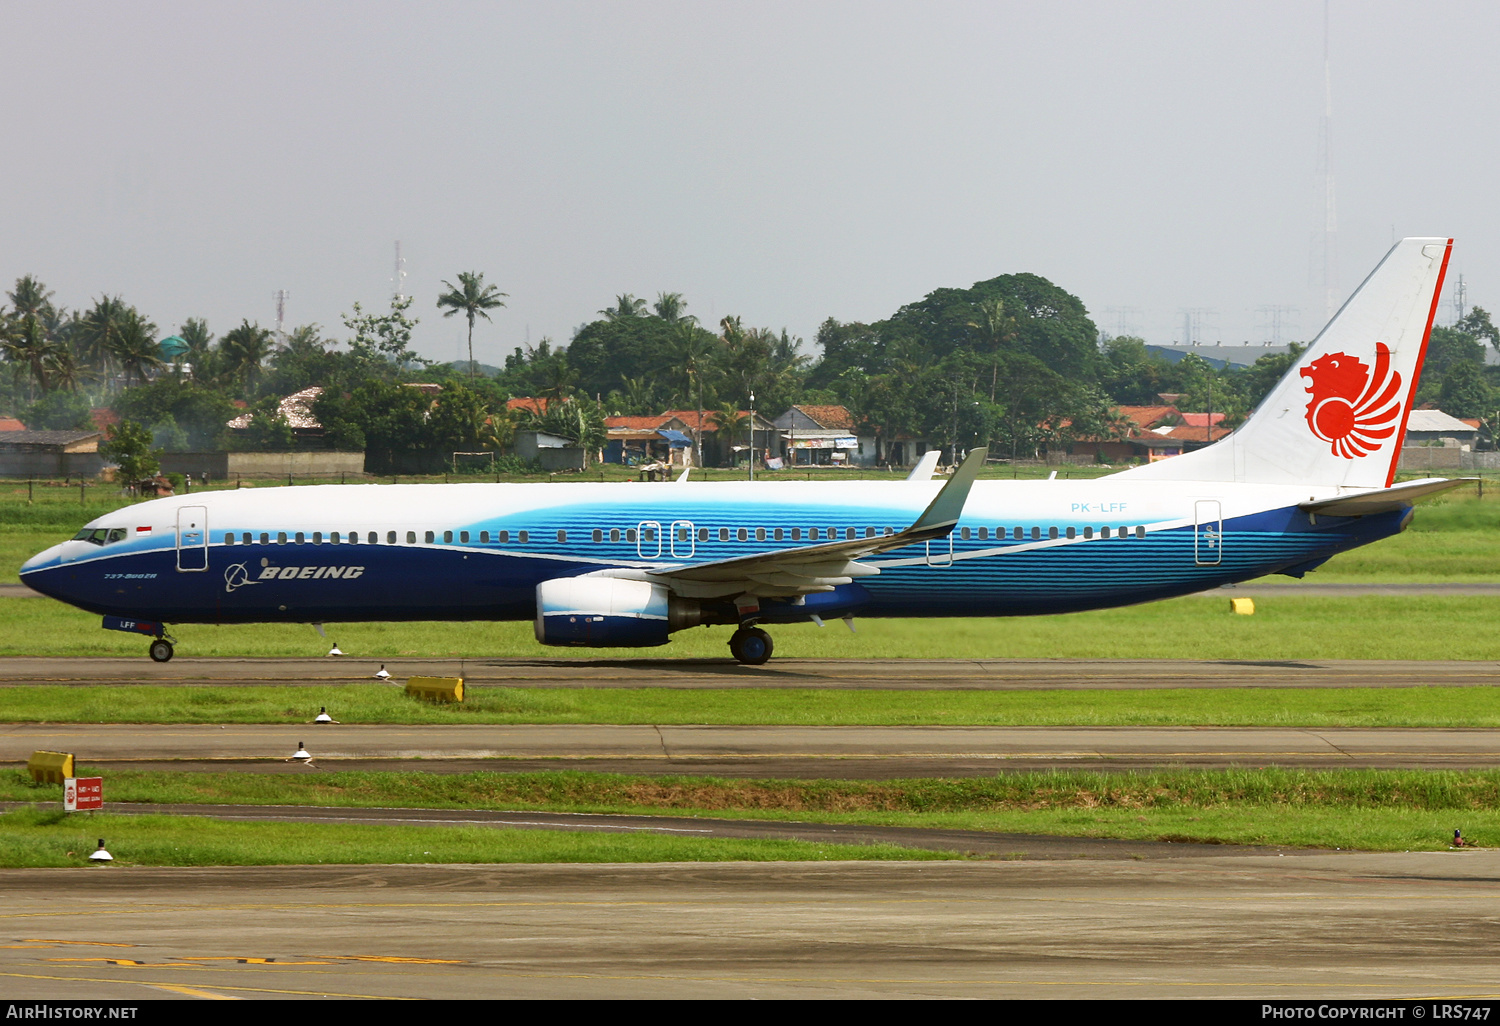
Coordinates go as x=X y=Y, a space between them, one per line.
x=823 y=568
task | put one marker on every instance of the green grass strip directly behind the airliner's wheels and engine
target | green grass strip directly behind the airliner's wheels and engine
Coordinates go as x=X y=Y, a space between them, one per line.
x=1193 y=628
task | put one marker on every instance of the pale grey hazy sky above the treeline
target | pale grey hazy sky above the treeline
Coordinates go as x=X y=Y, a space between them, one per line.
x=779 y=161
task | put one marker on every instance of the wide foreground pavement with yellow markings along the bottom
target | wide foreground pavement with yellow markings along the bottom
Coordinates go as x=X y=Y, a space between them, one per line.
x=1264 y=928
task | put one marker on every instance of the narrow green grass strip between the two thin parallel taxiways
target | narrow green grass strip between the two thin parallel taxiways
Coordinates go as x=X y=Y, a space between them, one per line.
x=352 y=704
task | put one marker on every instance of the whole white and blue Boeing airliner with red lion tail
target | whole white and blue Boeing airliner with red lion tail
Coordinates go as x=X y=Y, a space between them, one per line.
x=1310 y=475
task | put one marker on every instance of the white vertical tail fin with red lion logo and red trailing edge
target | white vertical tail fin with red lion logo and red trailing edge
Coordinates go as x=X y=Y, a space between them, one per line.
x=1340 y=413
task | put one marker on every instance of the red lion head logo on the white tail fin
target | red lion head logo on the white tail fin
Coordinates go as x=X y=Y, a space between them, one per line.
x=1354 y=409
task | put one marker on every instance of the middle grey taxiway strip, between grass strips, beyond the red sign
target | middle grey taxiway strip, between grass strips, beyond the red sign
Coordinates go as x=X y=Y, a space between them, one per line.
x=851 y=752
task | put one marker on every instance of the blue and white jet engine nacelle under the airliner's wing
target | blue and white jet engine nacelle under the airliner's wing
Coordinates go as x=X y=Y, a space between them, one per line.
x=608 y=613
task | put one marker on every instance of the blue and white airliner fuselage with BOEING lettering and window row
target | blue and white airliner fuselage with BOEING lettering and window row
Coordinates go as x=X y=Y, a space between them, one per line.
x=385 y=553
